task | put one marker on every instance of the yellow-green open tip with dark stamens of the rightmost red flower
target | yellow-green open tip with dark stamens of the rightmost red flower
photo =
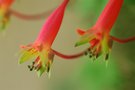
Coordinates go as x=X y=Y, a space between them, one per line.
x=100 y=43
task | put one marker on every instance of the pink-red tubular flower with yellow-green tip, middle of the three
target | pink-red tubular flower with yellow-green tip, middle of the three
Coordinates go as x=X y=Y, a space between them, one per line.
x=41 y=50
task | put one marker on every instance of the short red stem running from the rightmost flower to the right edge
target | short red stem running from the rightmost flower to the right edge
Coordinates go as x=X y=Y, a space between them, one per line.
x=123 y=40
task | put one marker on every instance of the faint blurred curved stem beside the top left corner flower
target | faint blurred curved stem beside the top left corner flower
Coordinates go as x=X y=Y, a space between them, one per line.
x=30 y=17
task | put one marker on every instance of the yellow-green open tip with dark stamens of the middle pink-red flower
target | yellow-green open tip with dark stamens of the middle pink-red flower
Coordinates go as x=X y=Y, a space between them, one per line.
x=42 y=59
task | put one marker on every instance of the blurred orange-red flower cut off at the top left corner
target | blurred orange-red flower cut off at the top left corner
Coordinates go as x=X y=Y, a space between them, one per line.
x=4 y=12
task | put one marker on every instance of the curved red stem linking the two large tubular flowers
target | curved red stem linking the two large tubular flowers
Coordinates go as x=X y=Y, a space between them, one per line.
x=69 y=56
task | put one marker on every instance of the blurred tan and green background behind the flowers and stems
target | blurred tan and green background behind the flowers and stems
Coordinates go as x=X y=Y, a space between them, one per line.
x=77 y=74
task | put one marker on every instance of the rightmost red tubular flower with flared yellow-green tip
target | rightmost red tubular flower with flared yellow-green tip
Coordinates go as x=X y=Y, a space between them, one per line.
x=99 y=34
